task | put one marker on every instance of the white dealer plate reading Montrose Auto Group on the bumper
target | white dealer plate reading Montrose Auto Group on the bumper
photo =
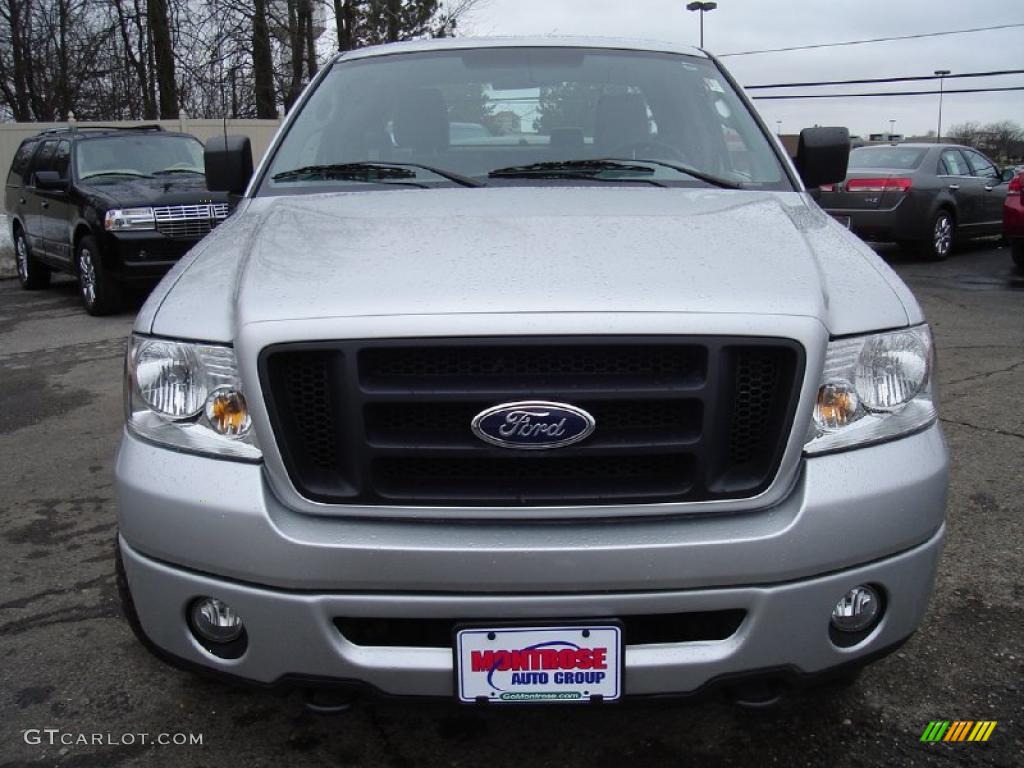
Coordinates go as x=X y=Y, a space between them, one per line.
x=578 y=664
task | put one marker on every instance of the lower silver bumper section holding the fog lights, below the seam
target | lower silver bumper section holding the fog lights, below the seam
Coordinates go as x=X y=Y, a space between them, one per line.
x=292 y=635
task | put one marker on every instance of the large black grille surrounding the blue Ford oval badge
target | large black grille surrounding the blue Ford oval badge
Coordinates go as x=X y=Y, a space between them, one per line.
x=389 y=422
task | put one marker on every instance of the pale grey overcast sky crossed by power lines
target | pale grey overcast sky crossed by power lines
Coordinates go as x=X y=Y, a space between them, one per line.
x=747 y=25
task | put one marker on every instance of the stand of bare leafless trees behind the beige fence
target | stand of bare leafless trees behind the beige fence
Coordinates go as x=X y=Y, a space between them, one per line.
x=108 y=60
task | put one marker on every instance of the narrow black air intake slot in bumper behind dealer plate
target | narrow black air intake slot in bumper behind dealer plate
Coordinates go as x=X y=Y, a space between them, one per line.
x=646 y=629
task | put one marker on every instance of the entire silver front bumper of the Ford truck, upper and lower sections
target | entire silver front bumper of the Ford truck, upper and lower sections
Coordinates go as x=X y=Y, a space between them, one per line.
x=193 y=527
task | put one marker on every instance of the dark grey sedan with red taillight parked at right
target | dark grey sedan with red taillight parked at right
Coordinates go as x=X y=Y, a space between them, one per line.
x=925 y=197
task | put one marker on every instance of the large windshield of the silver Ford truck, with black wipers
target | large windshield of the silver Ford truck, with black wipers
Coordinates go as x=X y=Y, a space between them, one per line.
x=478 y=112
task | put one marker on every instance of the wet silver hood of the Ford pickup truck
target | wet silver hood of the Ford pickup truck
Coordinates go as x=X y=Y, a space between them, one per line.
x=527 y=249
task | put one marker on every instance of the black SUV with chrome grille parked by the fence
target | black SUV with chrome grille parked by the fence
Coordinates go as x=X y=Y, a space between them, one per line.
x=110 y=206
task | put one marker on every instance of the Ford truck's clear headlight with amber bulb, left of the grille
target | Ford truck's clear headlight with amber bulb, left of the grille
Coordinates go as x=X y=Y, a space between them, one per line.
x=188 y=396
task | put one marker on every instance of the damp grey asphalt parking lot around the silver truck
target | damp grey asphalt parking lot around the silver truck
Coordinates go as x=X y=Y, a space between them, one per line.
x=70 y=663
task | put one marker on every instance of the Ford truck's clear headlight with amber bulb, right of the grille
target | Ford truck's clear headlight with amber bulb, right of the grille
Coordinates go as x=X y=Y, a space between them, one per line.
x=874 y=389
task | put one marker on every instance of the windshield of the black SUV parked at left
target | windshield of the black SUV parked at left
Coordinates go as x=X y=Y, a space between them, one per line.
x=150 y=155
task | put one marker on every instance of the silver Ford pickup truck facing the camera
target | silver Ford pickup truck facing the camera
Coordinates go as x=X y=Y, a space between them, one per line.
x=624 y=413
